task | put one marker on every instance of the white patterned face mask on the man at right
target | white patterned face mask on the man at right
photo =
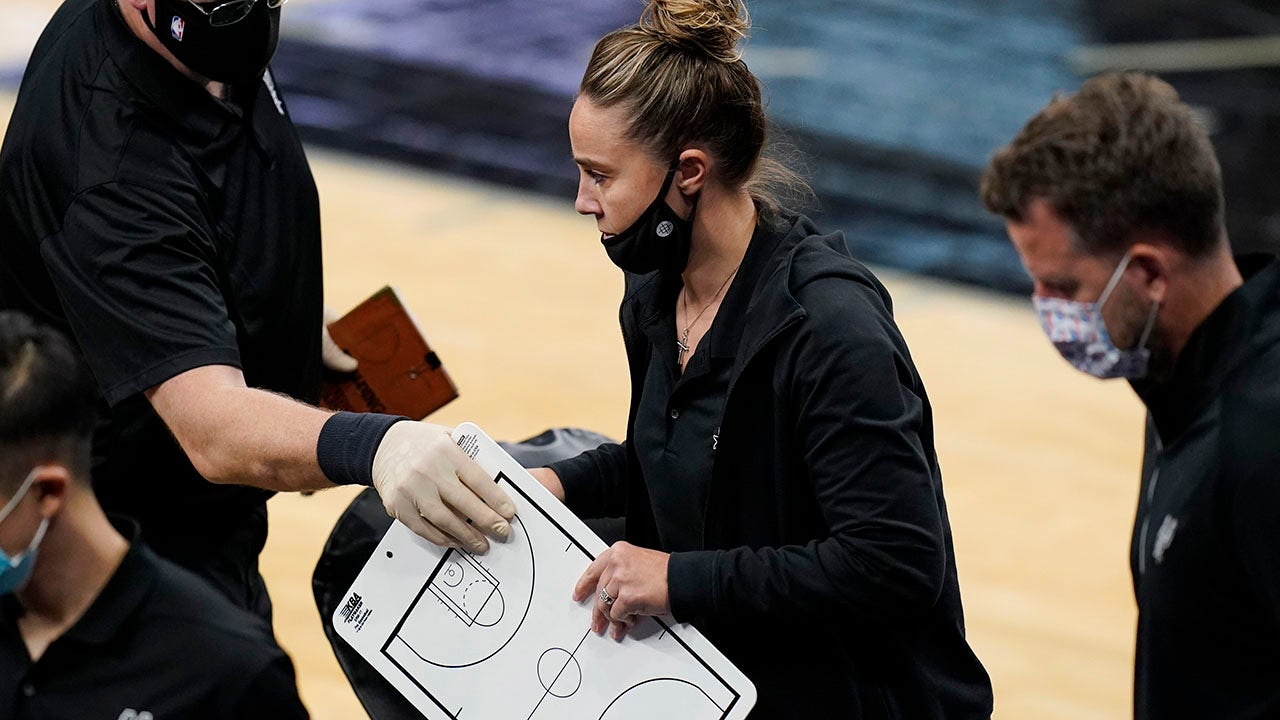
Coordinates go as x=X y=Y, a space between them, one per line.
x=1081 y=335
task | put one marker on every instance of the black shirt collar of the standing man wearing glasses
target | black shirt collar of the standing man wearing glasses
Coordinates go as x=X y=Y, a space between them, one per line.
x=182 y=101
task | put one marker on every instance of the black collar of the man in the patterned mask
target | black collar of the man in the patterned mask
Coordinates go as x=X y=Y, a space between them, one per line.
x=1214 y=352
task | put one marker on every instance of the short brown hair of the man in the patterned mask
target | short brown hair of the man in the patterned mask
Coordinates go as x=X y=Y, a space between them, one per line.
x=1122 y=156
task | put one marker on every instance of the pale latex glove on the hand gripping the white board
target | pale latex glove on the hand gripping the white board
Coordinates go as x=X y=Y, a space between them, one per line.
x=431 y=486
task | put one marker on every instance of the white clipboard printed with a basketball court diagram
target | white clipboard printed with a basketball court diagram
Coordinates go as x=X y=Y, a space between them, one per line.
x=497 y=636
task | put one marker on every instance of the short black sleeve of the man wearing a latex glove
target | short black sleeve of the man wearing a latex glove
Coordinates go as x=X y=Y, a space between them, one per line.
x=136 y=274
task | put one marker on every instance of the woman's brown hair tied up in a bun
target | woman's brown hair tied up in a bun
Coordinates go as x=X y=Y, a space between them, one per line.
x=682 y=76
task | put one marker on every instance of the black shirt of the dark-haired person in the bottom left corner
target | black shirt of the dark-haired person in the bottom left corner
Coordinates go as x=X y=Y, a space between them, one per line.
x=159 y=642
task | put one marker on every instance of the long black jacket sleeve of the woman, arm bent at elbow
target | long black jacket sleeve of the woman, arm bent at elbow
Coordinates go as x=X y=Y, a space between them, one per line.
x=858 y=425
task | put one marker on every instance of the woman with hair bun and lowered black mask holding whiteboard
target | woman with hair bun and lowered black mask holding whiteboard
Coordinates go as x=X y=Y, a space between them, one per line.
x=779 y=479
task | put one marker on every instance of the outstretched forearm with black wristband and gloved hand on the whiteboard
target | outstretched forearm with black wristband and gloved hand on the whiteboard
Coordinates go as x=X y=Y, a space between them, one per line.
x=236 y=435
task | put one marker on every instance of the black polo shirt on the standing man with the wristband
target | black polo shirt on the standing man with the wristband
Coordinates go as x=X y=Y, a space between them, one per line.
x=164 y=230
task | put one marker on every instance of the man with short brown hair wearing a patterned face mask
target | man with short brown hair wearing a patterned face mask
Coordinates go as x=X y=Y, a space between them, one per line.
x=1114 y=199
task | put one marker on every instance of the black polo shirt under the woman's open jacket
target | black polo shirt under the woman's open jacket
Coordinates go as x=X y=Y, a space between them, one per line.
x=679 y=417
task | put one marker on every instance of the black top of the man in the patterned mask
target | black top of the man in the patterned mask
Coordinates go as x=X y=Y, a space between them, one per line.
x=1206 y=539
